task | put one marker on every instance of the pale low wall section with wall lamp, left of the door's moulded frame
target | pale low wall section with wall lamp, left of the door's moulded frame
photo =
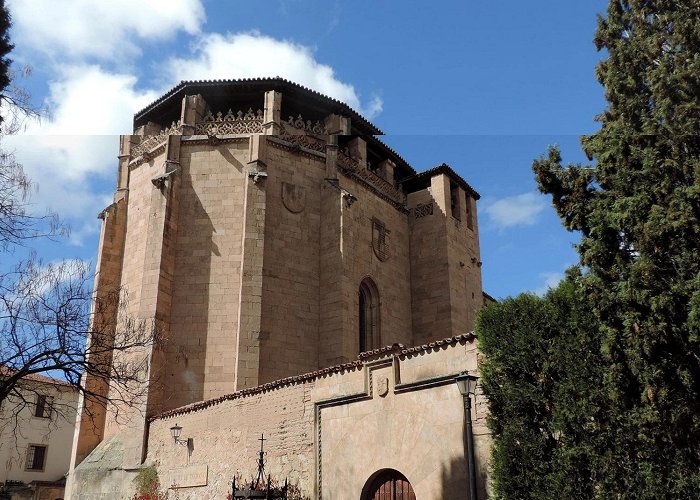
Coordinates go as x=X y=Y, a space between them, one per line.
x=225 y=441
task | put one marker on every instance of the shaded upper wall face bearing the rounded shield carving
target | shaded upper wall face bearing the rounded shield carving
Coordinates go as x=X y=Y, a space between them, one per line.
x=291 y=268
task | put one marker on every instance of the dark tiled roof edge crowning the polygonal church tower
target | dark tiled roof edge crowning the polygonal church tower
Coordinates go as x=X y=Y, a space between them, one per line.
x=276 y=82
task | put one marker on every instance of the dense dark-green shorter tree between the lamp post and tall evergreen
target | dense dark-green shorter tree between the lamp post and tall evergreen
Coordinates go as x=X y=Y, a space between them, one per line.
x=542 y=375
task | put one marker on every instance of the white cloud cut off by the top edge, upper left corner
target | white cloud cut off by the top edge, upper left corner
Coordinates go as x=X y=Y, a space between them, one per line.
x=104 y=29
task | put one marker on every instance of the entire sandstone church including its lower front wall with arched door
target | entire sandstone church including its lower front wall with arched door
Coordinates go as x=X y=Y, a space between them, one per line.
x=310 y=285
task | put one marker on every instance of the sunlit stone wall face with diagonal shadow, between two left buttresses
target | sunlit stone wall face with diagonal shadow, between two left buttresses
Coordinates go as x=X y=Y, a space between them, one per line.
x=201 y=357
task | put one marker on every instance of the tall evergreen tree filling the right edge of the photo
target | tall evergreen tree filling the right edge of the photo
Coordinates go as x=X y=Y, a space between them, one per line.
x=638 y=210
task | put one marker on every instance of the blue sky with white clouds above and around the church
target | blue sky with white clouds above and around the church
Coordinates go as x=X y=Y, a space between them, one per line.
x=483 y=86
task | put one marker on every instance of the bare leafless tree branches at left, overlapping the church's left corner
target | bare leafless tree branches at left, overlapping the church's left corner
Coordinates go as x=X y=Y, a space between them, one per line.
x=52 y=324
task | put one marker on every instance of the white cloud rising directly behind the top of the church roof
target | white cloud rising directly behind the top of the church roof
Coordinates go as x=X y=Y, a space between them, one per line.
x=251 y=54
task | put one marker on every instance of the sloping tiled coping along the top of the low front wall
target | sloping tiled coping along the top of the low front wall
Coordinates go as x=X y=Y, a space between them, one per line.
x=397 y=349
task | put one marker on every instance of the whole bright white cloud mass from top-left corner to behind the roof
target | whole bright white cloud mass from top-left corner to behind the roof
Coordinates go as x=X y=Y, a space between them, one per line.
x=71 y=155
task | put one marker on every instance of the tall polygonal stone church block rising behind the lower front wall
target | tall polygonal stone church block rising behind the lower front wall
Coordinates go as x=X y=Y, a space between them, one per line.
x=266 y=231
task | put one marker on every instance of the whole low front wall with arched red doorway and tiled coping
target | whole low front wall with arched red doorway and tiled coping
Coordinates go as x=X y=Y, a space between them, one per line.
x=330 y=431
